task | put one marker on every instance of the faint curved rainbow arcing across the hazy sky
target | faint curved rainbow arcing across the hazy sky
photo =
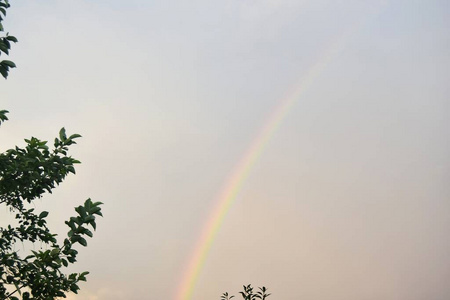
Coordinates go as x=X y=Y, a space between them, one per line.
x=234 y=184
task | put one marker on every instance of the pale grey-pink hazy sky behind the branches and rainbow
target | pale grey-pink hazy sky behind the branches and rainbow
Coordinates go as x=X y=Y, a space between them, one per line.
x=344 y=194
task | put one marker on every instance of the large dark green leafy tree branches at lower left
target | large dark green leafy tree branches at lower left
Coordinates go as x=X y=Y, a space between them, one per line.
x=26 y=174
